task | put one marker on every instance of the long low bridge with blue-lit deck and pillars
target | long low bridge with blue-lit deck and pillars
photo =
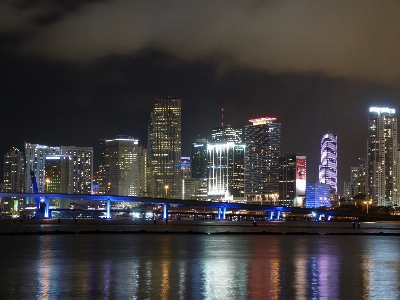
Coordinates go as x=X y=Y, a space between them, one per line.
x=274 y=212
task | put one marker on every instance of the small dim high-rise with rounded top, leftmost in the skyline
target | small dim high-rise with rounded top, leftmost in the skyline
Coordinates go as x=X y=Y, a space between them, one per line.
x=14 y=171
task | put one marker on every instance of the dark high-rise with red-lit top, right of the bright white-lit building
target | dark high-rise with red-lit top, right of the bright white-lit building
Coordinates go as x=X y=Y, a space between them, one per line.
x=263 y=144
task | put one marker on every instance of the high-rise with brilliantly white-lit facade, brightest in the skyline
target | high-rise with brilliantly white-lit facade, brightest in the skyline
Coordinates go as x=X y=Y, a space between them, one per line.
x=226 y=171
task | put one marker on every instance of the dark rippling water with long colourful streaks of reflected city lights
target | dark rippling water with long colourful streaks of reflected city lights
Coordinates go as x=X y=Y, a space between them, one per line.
x=199 y=267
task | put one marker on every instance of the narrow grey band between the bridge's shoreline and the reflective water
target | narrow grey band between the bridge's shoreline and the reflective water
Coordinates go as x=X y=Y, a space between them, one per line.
x=129 y=226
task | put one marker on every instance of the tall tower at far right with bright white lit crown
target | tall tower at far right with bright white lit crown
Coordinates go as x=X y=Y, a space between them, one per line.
x=382 y=161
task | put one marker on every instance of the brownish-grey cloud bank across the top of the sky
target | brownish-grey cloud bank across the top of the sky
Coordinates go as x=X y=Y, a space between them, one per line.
x=350 y=39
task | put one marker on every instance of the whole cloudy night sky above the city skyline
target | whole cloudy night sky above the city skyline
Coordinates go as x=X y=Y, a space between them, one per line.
x=73 y=72
